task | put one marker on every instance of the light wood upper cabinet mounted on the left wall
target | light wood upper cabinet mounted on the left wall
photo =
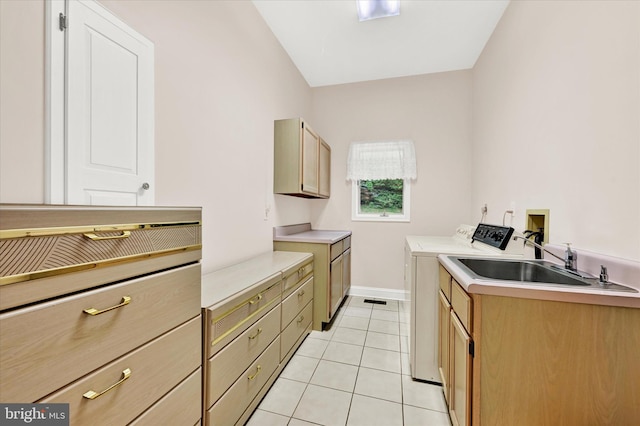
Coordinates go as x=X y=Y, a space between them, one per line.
x=302 y=160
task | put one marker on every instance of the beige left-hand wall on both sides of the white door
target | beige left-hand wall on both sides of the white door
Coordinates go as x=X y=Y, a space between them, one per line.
x=221 y=80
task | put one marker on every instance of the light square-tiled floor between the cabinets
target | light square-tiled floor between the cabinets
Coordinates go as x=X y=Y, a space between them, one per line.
x=355 y=373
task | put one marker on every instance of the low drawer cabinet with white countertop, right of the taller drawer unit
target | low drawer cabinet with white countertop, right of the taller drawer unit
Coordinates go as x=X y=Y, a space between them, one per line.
x=256 y=313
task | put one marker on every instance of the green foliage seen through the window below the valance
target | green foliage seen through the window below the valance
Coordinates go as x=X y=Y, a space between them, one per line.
x=381 y=196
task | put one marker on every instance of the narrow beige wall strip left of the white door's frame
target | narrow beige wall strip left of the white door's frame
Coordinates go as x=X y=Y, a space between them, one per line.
x=22 y=101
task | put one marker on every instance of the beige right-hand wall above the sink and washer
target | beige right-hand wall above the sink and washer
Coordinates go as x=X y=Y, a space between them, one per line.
x=556 y=121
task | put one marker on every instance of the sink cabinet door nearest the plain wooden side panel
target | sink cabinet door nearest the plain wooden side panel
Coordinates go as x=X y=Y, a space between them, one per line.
x=460 y=377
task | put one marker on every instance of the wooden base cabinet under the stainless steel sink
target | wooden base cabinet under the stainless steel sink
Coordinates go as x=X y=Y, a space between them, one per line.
x=536 y=362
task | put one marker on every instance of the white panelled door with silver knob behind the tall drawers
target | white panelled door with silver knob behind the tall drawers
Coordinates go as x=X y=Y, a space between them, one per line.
x=110 y=110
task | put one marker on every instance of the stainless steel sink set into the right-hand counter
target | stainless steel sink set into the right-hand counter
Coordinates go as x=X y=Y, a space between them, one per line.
x=528 y=272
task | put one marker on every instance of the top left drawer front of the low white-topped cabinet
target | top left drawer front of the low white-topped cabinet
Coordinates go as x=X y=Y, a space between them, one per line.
x=229 y=321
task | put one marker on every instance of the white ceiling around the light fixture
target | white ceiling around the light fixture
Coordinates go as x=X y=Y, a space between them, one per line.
x=330 y=46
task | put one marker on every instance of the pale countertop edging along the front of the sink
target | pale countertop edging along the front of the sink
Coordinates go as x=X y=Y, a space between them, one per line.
x=540 y=291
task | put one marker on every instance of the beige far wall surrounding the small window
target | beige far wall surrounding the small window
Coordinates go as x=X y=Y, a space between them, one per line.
x=432 y=110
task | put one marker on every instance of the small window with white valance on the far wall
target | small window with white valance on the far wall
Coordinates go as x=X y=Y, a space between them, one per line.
x=381 y=174
